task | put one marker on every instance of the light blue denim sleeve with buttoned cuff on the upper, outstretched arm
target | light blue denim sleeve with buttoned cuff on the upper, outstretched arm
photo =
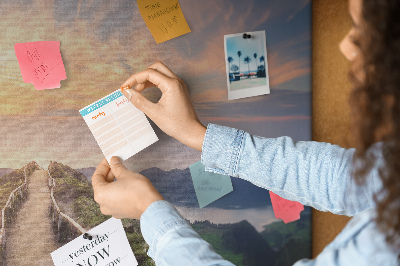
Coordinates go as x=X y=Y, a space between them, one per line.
x=312 y=173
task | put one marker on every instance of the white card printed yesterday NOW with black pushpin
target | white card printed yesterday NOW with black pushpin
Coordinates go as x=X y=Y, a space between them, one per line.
x=108 y=246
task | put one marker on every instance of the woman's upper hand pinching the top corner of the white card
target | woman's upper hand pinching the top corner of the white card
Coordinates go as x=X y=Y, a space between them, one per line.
x=173 y=113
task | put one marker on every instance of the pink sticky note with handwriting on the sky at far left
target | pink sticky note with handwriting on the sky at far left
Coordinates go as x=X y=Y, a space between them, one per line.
x=41 y=64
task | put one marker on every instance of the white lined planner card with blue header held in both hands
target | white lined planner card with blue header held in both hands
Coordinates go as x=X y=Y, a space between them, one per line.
x=118 y=126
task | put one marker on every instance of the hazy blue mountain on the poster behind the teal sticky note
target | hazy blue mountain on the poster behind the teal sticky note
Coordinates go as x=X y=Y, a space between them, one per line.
x=176 y=186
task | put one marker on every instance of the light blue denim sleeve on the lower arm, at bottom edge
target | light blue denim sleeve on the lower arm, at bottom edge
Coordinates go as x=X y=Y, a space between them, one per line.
x=172 y=240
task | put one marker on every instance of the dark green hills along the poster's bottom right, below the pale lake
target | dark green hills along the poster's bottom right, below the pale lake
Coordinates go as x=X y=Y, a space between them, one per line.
x=241 y=244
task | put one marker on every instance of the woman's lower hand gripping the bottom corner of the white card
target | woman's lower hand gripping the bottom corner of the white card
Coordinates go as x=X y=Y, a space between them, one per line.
x=128 y=197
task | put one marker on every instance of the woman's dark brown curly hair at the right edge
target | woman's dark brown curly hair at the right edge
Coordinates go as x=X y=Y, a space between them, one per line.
x=375 y=101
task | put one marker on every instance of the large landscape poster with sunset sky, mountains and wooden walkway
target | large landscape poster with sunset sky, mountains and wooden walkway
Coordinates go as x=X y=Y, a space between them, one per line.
x=49 y=154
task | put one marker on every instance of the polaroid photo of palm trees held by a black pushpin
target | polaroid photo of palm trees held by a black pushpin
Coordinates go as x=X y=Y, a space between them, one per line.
x=246 y=64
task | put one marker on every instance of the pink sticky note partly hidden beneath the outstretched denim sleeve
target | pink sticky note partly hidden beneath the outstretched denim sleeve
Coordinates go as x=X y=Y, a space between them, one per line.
x=287 y=210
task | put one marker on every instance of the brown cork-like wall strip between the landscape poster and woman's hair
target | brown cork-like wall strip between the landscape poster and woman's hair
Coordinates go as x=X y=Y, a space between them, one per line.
x=331 y=89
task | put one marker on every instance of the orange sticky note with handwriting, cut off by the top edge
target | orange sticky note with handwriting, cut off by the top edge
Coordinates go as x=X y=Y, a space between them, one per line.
x=164 y=18
